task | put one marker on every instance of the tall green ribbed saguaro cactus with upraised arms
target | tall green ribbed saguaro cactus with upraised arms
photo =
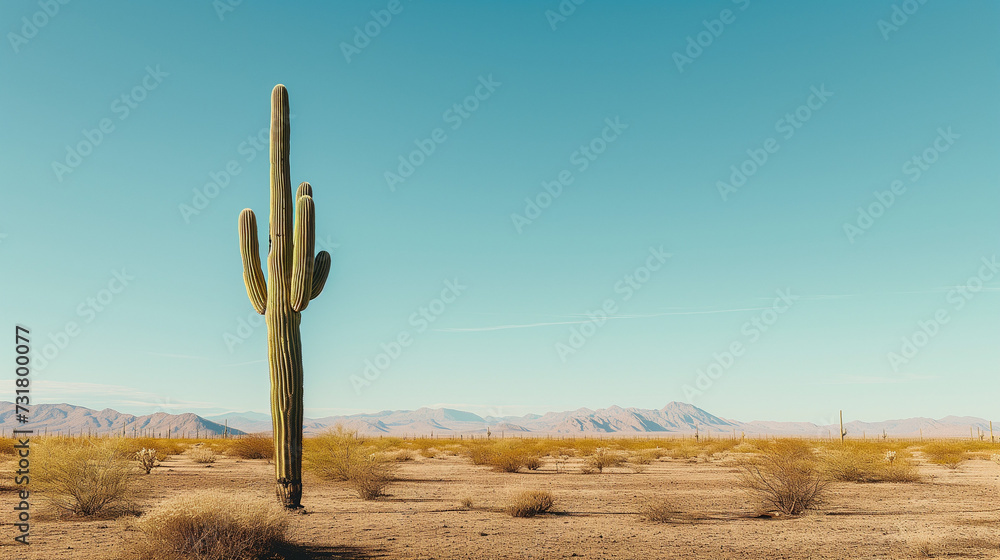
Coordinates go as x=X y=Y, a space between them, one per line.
x=293 y=278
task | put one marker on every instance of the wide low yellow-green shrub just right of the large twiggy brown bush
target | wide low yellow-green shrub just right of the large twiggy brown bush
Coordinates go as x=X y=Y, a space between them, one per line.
x=863 y=463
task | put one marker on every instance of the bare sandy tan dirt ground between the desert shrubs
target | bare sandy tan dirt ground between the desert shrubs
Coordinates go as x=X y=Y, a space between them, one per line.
x=952 y=514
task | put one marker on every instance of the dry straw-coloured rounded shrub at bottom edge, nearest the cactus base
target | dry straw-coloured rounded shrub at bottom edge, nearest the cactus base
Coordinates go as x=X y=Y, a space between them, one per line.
x=210 y=525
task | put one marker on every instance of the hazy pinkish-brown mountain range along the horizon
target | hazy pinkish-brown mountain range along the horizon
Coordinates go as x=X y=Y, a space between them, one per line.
x=675 y=418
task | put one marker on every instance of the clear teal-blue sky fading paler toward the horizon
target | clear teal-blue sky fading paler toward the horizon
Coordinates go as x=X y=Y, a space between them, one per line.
x=646 y=111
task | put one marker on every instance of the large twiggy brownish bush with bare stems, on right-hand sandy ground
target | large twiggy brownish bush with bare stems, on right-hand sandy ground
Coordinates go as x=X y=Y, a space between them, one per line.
x=784 y=476
